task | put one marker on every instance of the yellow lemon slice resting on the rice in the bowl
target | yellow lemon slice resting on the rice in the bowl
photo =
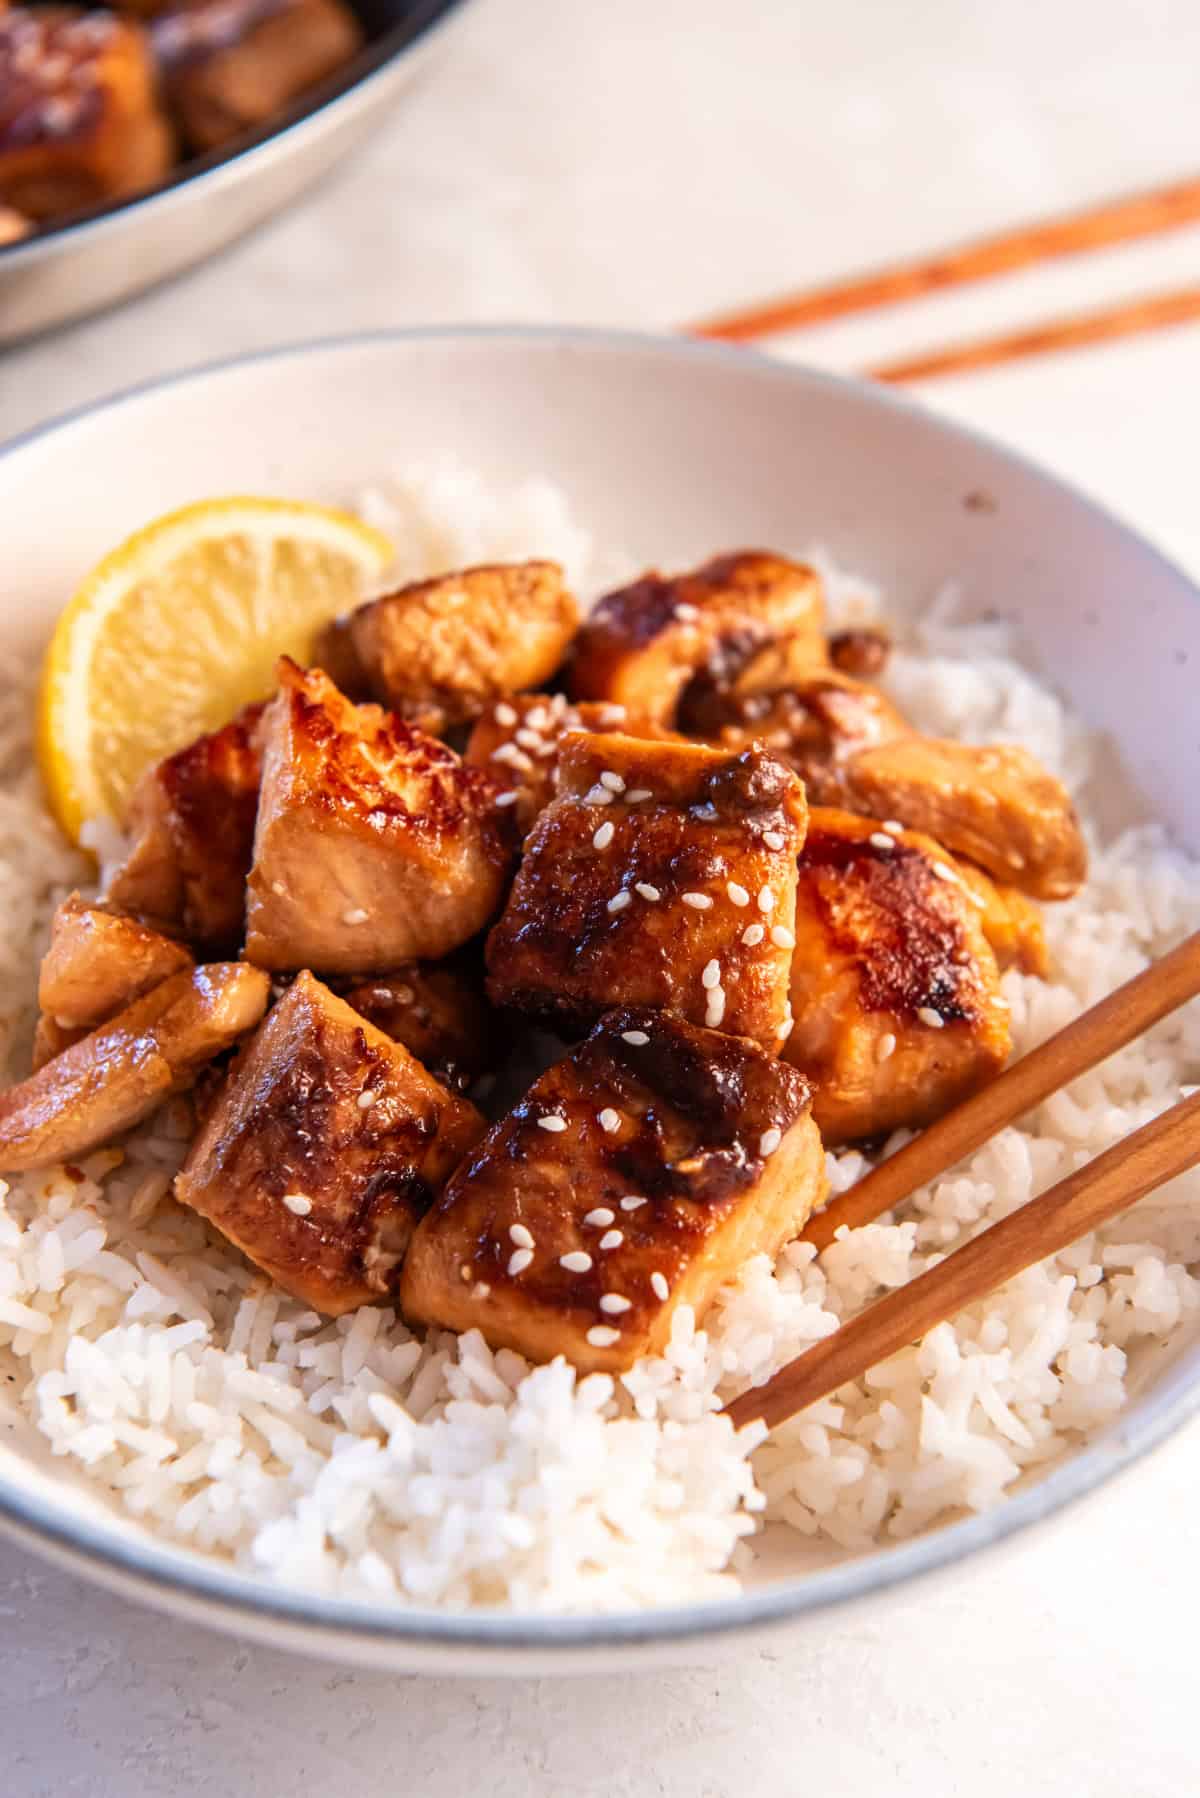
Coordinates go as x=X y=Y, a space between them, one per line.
x=179 y=628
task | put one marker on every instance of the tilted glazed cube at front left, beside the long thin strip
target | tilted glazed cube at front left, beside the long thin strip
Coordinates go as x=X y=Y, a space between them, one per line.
x=325 y=1150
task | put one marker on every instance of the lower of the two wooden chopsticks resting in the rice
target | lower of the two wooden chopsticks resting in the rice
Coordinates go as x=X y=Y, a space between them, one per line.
x=1086 y=1200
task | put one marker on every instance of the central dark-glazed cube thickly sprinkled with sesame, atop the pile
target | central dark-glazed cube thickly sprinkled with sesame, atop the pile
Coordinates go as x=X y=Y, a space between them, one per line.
x=663 y=875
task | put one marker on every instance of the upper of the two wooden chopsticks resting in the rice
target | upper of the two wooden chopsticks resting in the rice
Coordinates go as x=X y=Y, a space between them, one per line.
x=1100 y=1033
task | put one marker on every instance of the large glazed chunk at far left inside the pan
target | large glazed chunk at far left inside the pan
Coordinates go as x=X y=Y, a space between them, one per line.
x=80 y=118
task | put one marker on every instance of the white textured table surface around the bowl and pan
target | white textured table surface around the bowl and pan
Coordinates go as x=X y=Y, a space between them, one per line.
x=641 y=163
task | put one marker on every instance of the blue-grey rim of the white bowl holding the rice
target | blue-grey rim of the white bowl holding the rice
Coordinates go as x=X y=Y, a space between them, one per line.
x=235 y=1599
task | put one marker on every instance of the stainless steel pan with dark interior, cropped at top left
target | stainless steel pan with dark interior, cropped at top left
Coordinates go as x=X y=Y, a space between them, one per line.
x=116 y=253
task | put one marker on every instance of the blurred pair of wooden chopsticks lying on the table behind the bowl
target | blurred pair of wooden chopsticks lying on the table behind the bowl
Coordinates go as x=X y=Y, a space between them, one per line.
x=1095 y=229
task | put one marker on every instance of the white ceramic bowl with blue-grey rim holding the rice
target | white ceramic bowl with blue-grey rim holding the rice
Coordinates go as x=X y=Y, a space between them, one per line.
x=670 y=452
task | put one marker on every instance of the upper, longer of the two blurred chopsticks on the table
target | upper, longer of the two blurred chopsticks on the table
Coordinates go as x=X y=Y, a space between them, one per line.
x=1113 y=222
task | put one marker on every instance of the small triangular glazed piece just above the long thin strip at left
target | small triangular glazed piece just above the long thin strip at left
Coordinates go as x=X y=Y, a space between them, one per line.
x=98 y=963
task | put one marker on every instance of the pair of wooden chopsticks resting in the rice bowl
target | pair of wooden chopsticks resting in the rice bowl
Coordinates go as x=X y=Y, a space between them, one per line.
x=1111 y=1184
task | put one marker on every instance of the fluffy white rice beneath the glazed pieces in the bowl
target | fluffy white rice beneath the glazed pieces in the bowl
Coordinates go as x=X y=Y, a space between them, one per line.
x=352 y=1457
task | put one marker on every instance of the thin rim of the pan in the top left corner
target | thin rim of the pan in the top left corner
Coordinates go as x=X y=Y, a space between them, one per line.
x=219 y=168
